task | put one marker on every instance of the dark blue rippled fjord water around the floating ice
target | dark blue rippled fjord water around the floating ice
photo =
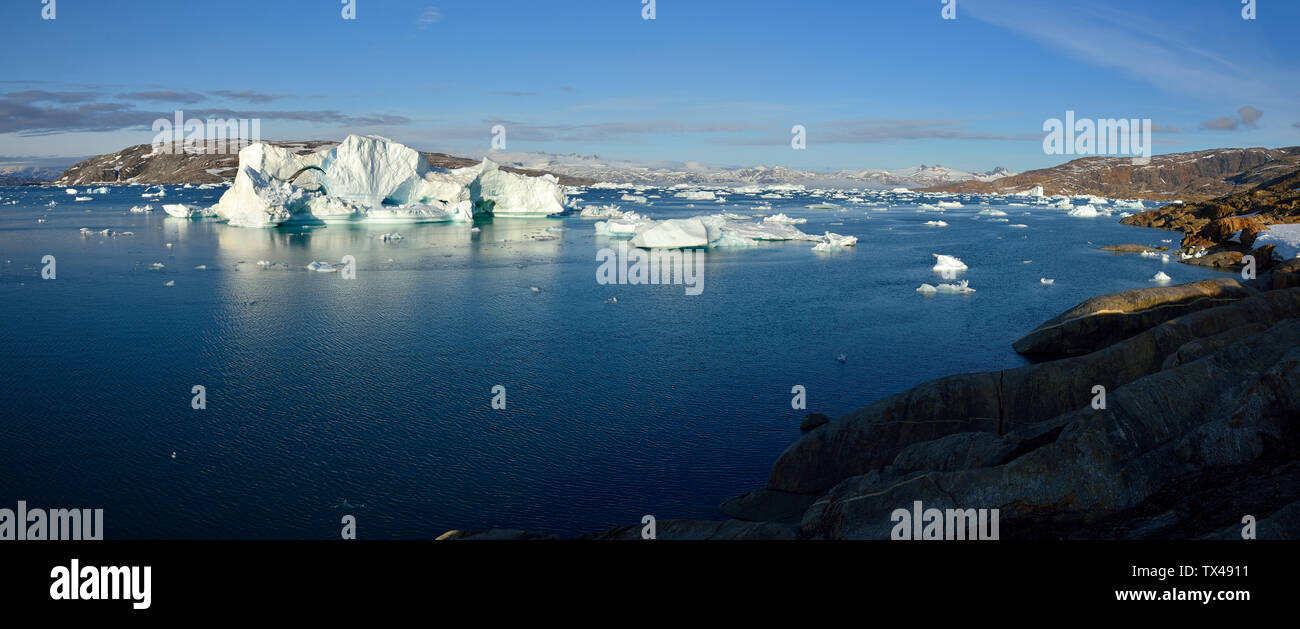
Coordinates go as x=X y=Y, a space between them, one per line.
x=372 y=397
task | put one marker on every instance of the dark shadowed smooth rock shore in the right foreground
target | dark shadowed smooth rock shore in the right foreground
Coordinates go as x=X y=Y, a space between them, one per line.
x=1201 y=428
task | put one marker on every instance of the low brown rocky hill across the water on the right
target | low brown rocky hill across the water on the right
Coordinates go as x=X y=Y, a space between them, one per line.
x=1194 y=176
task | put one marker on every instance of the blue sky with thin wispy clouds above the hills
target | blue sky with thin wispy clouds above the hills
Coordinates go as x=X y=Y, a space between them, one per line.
x=878 y=84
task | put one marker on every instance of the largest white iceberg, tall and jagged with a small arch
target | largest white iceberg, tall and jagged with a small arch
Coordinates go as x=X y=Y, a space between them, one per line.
x=376 y=180
